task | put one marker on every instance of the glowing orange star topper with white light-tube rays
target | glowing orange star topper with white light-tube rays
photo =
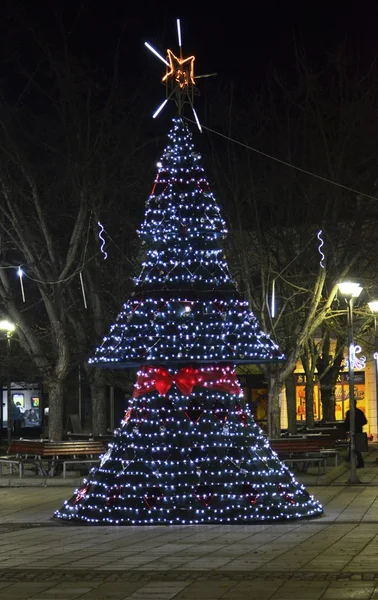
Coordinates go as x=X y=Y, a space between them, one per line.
x=179 y=78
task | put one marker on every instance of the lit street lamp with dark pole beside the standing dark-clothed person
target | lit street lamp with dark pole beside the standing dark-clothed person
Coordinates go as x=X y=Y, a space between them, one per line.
x=351 y=290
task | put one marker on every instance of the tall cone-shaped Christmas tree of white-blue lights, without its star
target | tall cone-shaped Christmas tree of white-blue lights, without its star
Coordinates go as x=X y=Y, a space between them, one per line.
x=187 y=449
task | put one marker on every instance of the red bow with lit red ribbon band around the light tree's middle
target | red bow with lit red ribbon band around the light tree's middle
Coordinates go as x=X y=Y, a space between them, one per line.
x=222 y=378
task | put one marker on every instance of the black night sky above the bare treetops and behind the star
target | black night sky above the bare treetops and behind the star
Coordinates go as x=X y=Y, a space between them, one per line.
x=240 y=41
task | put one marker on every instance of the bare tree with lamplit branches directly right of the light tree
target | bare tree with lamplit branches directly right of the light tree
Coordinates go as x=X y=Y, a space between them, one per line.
x=315 y=123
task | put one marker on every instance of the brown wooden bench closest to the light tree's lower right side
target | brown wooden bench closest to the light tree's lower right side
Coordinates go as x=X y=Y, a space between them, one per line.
x=314 y=449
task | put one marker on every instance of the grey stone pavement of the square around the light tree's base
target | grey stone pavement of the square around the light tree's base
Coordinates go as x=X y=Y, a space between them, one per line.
x=332 y=557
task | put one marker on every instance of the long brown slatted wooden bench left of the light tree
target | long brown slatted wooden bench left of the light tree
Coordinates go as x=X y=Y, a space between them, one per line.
x=57 y=453
